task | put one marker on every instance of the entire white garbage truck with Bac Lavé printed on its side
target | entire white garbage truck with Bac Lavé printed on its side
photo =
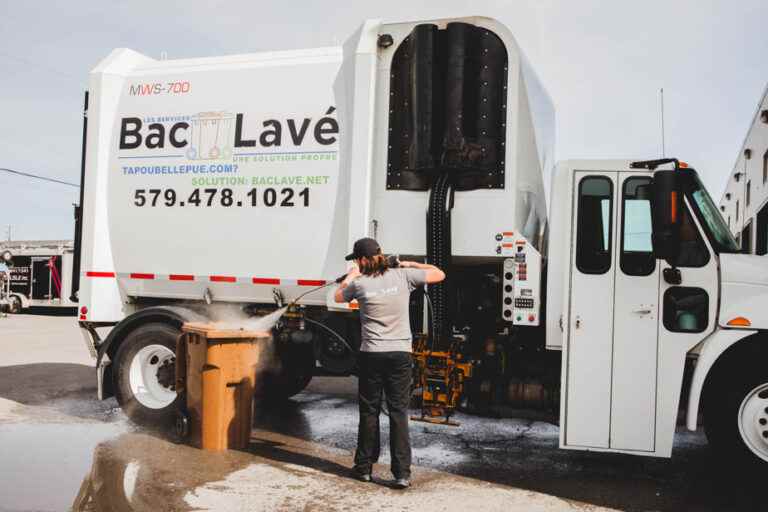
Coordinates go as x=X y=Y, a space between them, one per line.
x=613 y=297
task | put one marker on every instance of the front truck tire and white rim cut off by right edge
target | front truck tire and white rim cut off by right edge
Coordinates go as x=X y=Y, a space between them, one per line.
x=735 y=409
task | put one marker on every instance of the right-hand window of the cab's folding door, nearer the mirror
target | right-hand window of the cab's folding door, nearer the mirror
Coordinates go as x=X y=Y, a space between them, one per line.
x=637 y=258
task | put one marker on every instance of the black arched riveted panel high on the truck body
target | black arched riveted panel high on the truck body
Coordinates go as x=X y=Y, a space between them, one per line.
x=448 y=91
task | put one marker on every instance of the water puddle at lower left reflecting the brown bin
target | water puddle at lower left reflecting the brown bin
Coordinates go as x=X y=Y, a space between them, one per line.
x=87 y=467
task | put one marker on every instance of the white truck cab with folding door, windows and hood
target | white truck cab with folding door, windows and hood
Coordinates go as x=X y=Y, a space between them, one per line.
x=643 y=275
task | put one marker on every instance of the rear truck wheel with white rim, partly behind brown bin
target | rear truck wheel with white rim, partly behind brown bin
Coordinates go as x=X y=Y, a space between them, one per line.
x=144 y=373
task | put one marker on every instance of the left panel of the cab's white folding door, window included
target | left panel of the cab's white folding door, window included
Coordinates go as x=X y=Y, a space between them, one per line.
x=589 y=346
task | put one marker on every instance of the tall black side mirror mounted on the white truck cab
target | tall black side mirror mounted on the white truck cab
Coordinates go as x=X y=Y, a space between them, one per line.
x=666 y=209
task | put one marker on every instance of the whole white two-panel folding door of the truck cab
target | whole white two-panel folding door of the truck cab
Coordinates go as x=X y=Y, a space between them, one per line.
x=613 y=319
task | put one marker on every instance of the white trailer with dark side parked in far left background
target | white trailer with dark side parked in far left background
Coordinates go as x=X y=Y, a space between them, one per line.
x=40 y=273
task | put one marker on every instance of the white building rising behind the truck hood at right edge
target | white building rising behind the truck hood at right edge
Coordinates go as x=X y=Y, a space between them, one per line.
x=744 y=204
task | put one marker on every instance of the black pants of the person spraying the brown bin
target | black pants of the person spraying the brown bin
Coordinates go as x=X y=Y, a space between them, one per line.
x=390 y=372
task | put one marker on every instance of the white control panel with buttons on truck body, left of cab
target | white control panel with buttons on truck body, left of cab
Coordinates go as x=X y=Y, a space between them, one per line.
x=521 y=284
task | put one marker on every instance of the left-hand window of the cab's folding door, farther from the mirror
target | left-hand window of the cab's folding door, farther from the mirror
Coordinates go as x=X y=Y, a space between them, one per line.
x=594 y=230
